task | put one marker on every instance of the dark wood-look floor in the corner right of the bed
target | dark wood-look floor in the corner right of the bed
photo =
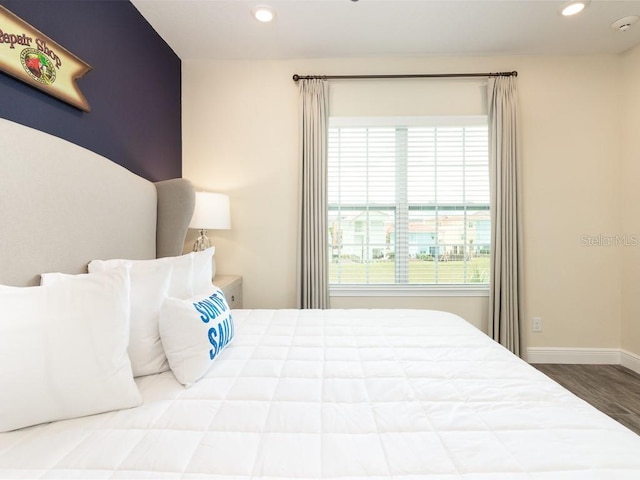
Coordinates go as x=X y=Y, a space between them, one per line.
x=612 y=389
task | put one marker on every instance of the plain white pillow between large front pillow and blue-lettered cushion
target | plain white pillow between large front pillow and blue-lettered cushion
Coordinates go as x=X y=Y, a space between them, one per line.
x=150 y=281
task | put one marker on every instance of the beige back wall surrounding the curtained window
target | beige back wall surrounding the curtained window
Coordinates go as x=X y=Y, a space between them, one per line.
x=240 y=137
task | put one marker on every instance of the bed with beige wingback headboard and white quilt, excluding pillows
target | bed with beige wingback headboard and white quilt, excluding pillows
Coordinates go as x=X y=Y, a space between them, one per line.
x=296 y=394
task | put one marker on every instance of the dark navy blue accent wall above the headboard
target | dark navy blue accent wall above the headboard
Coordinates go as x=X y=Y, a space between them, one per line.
x=134 y=89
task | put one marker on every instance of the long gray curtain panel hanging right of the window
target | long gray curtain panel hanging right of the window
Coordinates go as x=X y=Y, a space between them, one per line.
x=506 y=238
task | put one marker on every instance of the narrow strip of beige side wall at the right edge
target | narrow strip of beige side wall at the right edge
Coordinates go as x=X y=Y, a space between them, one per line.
x=630 y=206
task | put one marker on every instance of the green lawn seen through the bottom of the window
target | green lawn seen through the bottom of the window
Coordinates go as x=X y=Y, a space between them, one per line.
x=475 y=270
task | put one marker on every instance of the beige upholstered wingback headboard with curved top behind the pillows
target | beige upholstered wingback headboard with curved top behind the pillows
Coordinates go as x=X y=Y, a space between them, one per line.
x=62 y=206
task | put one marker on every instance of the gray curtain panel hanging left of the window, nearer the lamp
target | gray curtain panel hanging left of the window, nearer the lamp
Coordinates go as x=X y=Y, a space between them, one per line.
x=313 y=277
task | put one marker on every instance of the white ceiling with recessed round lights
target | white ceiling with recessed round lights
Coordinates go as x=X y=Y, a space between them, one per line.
x=225 y=29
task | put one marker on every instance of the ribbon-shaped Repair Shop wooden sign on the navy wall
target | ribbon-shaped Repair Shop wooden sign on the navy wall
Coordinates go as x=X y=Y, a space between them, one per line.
x=34 y=58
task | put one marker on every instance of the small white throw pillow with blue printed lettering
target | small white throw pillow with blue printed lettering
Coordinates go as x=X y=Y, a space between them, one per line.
x=194 y=332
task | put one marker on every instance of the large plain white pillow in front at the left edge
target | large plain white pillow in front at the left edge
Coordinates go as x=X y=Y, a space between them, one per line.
x=63 y=350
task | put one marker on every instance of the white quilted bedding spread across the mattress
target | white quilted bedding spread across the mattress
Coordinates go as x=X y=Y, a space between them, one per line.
x=335 y=394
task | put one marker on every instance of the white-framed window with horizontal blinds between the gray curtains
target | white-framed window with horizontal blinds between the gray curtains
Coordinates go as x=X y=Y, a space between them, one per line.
x=408 y=201
